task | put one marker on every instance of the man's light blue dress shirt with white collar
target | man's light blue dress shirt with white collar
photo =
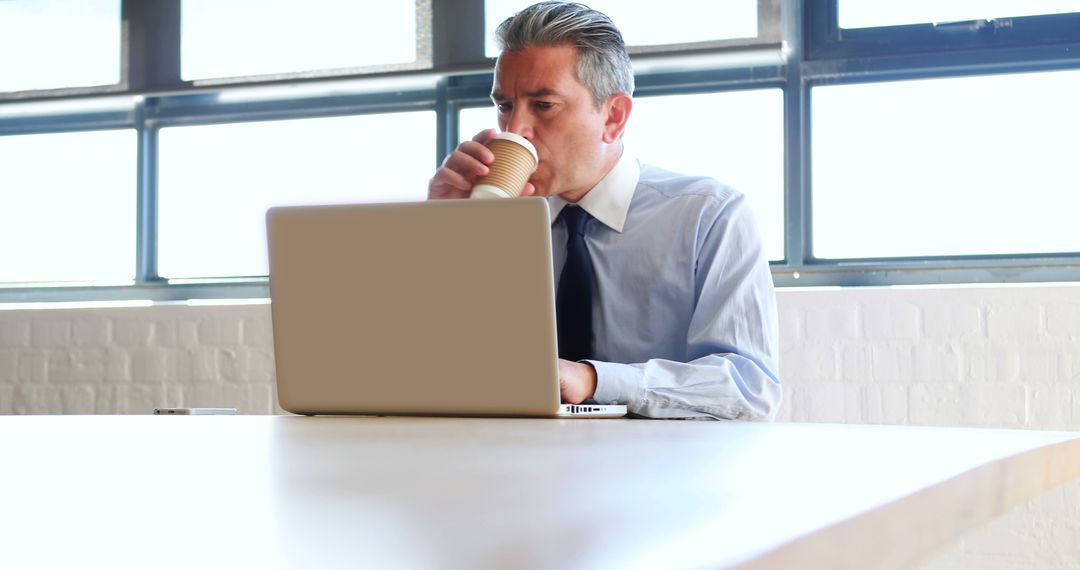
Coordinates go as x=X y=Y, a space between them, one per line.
x=685 y=314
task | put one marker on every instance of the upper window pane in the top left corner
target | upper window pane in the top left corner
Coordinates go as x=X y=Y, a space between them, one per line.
x=59 y=44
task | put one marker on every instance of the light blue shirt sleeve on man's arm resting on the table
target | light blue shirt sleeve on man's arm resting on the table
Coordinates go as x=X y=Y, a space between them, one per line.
x=732 y=344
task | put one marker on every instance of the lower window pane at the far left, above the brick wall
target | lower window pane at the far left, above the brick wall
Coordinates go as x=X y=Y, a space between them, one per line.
x=69 y=207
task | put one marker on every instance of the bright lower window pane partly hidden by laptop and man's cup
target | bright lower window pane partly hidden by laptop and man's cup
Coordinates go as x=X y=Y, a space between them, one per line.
x=217 y=182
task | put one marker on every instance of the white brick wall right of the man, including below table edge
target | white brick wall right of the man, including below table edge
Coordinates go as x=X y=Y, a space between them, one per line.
x=970 y=357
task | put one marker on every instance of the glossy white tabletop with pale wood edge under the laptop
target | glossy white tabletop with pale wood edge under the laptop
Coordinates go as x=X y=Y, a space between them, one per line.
x=323 y=493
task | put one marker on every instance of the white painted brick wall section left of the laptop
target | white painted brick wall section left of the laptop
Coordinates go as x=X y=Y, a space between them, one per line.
x=133 y=360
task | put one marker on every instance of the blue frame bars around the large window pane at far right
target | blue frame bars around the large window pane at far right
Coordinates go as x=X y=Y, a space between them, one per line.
x=1034 y=44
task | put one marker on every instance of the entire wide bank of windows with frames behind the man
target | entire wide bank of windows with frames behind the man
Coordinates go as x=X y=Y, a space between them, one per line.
x=877 y=143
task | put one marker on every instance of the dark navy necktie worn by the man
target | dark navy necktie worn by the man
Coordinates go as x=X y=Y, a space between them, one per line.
x=574 y=304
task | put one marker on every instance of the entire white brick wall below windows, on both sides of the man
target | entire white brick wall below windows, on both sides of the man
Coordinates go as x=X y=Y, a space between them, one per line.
x=1004 y=357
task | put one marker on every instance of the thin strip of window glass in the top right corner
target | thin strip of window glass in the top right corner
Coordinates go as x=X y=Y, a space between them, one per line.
x=865 y=15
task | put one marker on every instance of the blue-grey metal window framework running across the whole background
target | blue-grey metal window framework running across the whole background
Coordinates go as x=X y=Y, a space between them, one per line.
x=791 y=53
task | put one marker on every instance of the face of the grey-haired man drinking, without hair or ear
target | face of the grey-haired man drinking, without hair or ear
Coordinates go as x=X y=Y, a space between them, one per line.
x=538 y=96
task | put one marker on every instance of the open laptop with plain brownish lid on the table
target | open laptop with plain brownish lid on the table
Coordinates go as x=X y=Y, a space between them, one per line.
x=440 y=308
